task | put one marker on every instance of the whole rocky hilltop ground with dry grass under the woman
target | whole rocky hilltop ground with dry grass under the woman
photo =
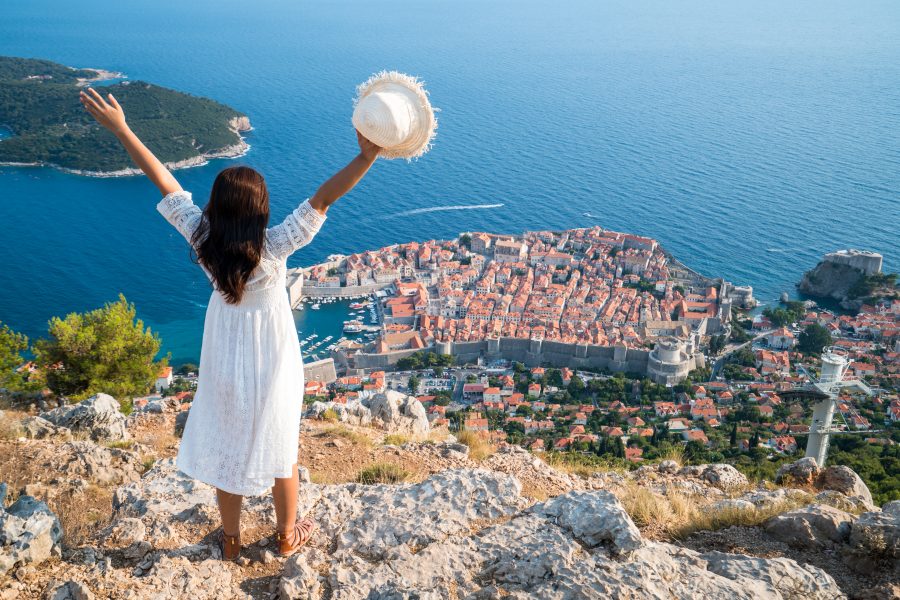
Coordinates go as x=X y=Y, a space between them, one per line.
x=94 y=508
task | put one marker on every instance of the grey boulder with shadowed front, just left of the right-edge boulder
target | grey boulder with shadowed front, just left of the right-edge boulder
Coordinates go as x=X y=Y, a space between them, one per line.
x=811 y=526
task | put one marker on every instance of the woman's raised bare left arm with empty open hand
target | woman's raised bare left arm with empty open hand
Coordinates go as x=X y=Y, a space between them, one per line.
x=111 y=116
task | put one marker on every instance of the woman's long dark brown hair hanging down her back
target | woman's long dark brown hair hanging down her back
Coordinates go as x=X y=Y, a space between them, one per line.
x=229 y=240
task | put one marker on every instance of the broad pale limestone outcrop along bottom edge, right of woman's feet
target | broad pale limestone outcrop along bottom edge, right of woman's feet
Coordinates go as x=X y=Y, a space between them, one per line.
x=578 y=545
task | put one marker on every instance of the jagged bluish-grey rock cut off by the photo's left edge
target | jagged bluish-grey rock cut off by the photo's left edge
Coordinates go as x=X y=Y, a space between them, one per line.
x=29 y=533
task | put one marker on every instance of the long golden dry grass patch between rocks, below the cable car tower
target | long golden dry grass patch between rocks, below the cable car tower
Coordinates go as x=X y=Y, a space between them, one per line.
x=678 y=515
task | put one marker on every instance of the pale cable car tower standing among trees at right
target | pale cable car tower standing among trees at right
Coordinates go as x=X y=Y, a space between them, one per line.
x=824 y=392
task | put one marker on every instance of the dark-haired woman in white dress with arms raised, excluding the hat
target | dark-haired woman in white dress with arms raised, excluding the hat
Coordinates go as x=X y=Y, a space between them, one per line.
x=243 y=432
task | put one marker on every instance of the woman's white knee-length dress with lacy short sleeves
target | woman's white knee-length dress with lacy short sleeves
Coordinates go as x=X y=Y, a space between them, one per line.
x=244 y=424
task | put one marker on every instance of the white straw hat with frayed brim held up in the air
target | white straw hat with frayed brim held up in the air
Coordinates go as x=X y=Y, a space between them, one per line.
x=392 y=111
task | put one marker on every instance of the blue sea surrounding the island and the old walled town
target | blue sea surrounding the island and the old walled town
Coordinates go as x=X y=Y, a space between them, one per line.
x=748 y=137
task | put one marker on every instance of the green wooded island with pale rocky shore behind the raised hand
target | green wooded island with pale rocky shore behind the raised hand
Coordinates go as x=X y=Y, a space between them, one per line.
x=39 y=107
